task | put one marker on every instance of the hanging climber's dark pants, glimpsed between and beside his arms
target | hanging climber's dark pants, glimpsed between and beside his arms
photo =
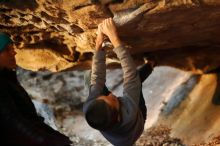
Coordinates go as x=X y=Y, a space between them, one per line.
x=144 y=72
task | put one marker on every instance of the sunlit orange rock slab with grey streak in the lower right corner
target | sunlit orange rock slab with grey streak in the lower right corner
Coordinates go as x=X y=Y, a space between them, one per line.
x=194 y=119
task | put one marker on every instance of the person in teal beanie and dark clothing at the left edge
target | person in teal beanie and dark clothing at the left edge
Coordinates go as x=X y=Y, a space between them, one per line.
x=19 y=122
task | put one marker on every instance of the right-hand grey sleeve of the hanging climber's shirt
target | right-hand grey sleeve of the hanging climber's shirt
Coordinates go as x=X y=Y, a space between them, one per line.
x=131 y=83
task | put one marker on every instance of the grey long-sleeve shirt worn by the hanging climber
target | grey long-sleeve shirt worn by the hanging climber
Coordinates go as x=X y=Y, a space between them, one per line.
x=132 y=121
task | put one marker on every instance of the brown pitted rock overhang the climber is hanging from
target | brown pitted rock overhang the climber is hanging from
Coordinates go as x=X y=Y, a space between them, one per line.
x=59 y=35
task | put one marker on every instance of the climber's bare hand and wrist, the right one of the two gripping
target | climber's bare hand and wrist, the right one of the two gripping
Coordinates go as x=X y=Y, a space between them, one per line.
x=109 y=29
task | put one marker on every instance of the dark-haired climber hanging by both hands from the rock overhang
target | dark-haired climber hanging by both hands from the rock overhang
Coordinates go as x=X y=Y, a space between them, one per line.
x=120 y=119
